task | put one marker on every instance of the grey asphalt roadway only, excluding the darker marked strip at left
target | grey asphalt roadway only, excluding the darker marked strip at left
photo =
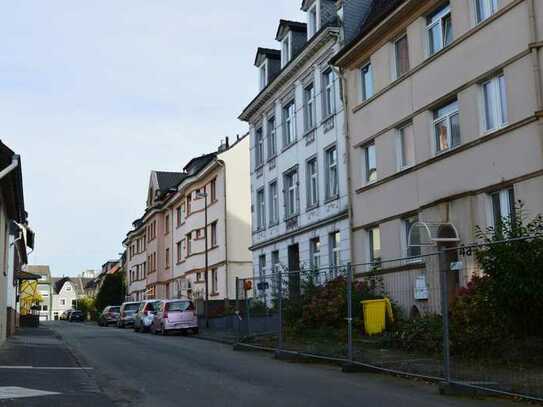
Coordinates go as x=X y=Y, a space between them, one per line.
x=135 y=369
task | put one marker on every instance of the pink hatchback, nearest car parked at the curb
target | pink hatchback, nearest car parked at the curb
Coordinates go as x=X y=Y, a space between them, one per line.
x=175 y=315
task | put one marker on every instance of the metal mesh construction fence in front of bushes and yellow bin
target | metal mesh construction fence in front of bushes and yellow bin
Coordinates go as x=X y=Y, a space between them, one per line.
x=438 y=315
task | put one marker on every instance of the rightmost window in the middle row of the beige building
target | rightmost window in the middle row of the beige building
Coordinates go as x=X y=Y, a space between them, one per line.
x=495 y=103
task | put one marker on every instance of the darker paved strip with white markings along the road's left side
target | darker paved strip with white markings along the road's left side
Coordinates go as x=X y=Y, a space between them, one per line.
x=38 y=369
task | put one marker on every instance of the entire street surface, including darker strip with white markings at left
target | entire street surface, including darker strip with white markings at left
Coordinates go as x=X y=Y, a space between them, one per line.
x=110 y=366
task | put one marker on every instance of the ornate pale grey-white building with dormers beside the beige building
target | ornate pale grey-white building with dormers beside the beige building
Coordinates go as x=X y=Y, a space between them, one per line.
x=299 y=189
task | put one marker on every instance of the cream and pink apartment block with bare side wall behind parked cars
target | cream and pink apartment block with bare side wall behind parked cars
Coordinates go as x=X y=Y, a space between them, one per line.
x=170 y=260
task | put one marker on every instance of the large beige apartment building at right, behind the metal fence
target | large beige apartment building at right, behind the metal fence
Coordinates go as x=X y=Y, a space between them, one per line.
x=444 y=115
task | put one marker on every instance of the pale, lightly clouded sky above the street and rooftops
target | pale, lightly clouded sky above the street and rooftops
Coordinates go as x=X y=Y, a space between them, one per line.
x=95 y=94
